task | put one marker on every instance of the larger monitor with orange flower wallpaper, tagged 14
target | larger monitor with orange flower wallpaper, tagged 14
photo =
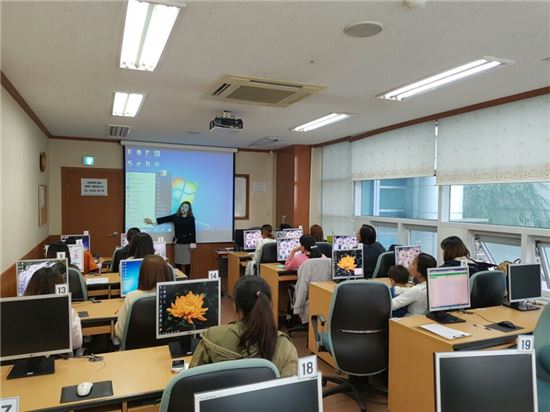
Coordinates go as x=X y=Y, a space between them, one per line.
x=187 y=307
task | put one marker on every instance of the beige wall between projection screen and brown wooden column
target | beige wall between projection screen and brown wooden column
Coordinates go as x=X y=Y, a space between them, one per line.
x=260 y=166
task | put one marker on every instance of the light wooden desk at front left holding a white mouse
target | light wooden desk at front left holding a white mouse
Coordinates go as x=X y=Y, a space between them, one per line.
x=136 y=375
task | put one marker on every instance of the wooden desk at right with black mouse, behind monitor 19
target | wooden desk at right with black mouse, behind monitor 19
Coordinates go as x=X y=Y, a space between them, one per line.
x=411 y=355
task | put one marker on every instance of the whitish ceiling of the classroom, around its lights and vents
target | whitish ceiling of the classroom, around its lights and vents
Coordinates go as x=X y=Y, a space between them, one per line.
x=63 y=59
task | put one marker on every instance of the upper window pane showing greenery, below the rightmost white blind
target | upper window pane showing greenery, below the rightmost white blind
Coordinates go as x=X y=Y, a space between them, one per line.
x=510 y=204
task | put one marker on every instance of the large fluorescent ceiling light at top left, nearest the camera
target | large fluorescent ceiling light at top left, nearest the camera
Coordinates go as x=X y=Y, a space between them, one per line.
x=146 y=32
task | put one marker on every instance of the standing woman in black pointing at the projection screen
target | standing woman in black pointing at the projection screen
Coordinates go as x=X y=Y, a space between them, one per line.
x=185 y=238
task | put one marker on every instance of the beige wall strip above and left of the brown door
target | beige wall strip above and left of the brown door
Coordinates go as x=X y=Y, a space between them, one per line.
x=68 y=153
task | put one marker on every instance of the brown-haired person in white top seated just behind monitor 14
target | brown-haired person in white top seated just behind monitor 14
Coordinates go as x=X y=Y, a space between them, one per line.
x=153 y=269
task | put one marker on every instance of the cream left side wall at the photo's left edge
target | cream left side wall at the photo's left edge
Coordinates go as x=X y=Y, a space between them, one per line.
x=21 y=144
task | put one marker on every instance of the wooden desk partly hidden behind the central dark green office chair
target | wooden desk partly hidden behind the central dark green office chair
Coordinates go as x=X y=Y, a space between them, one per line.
x=320 y=295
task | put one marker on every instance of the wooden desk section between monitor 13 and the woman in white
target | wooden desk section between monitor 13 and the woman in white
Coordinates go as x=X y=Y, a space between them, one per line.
x=102 y=315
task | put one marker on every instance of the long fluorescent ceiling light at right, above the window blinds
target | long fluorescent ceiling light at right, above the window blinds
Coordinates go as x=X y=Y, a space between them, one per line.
x=446 y=77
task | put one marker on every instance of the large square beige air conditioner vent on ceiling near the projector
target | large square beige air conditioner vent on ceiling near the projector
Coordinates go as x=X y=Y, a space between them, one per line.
x=265 y=92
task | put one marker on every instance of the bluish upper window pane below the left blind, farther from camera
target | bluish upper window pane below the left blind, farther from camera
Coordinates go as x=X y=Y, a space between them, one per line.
x=411 y=198
